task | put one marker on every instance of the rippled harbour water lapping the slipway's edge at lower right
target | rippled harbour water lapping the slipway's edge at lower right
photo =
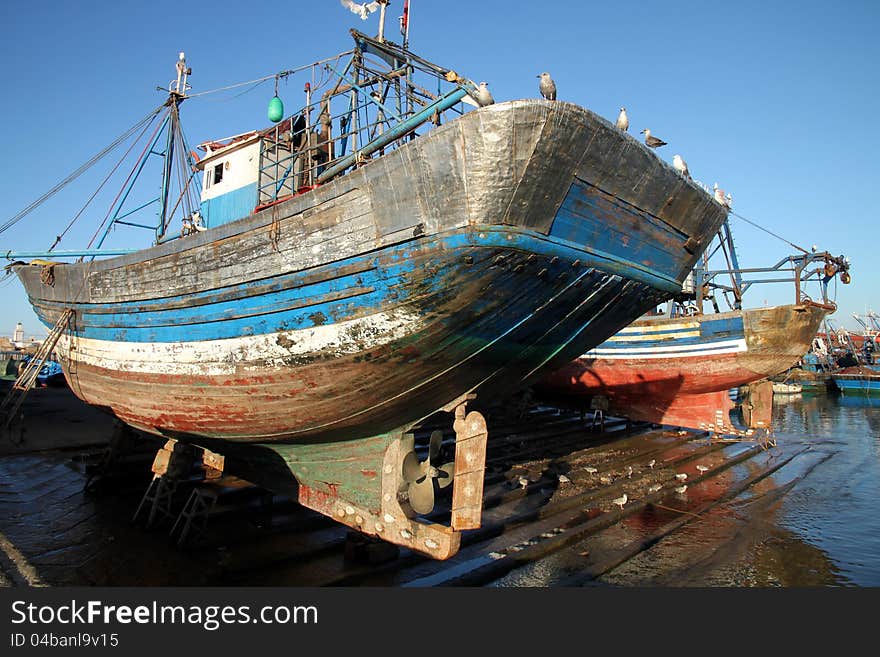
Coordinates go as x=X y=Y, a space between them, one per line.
x=812 y=523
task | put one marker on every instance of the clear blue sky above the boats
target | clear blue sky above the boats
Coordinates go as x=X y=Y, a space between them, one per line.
x=775 y=101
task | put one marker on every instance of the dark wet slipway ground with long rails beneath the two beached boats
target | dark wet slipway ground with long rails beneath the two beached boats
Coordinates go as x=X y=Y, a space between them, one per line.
x=554 y=513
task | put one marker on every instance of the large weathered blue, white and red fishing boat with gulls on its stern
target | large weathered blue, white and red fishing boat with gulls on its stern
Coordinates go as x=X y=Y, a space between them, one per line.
x=342 y=278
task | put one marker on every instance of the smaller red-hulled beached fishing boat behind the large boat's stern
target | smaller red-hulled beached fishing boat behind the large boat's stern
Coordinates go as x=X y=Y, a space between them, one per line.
x=677 y=369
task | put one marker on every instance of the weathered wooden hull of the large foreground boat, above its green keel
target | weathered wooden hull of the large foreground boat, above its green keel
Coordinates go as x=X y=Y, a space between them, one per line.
x=479 y=256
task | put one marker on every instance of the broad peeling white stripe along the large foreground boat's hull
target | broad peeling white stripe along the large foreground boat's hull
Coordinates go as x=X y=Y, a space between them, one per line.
x=230 y=356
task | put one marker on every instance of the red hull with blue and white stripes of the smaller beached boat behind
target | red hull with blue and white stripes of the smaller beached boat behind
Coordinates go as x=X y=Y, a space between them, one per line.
x=678 y=371
